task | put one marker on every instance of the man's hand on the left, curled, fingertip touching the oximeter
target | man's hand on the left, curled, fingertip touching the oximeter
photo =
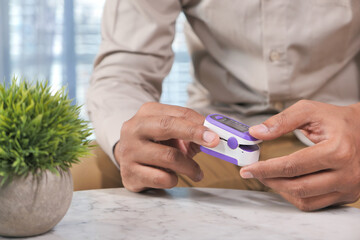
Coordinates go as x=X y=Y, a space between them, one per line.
x=159 y=142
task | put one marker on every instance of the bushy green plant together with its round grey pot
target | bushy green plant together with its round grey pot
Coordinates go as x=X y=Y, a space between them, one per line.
x=41 y=136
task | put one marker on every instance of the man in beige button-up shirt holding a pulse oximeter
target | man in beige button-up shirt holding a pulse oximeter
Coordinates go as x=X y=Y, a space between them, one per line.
x=289 y=64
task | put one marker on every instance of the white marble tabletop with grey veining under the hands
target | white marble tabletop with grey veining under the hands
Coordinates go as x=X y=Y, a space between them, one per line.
x=198 y=214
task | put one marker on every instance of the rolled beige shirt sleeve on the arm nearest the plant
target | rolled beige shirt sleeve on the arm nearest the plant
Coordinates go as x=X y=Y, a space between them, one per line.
x=134 y=57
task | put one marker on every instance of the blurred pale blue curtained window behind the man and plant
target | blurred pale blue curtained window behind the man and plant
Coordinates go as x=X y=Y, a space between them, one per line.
x=58 y=40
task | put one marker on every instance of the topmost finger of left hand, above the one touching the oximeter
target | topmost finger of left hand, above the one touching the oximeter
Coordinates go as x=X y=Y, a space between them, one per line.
x=171 y=110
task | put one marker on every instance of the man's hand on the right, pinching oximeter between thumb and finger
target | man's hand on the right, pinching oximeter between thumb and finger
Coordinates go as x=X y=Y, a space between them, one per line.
x=315 y=177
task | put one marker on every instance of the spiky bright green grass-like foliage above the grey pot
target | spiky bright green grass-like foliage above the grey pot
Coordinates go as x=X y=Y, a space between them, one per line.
x=39 y=130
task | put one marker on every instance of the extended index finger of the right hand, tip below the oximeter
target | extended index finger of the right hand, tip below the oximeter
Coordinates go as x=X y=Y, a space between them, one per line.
x=308 y=160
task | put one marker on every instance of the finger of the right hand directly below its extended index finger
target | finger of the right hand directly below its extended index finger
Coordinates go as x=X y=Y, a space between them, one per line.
x=307 y=186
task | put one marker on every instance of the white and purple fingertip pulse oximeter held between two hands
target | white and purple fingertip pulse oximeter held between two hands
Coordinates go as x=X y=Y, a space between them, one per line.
x=236 y=145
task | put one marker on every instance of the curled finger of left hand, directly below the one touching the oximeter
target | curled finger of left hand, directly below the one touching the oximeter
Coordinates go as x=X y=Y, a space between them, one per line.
x=169 y=158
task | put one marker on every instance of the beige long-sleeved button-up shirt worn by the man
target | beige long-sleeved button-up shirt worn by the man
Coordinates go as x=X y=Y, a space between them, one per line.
x=251 y=58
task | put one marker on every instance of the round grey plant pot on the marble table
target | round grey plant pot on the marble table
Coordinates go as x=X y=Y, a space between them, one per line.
x=33 y=205
